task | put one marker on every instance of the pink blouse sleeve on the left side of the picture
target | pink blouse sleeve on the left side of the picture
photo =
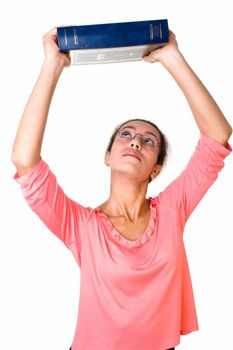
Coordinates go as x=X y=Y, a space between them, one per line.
x=63 y=216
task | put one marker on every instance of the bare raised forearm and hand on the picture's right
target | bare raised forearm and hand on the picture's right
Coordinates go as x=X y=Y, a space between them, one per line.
x=208 y=116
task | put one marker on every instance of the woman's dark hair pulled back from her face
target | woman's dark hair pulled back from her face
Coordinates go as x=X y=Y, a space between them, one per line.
x=162 y=157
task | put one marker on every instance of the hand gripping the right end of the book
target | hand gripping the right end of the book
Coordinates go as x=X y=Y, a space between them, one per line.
x=158 y=55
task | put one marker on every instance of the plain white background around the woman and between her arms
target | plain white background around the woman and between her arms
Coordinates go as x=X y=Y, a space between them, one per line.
x=39 y=277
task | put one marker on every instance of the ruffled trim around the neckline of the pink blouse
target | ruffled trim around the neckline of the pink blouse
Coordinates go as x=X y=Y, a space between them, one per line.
x=150 y=229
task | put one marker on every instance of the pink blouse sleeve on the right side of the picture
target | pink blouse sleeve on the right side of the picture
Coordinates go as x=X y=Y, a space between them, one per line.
x=186 y=191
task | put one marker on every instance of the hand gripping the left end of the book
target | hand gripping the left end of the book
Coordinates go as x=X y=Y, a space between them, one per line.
x=52 y=51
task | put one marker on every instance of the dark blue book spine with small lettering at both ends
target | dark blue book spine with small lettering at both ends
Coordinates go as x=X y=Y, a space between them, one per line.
x=113 y=35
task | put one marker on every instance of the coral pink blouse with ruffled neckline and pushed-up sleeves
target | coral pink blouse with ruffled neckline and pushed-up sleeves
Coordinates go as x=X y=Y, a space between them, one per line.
x=134 y=295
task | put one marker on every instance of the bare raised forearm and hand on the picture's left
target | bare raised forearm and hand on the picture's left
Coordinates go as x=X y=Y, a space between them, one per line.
x=29 y=137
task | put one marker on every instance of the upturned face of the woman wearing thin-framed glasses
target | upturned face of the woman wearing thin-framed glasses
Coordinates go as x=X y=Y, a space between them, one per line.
x=135 y=157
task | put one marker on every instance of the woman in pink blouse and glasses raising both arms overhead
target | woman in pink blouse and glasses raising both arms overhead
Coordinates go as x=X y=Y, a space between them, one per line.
x=136 y=291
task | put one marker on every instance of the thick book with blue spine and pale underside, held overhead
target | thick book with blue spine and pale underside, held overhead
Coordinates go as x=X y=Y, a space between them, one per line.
x=112 y=42
